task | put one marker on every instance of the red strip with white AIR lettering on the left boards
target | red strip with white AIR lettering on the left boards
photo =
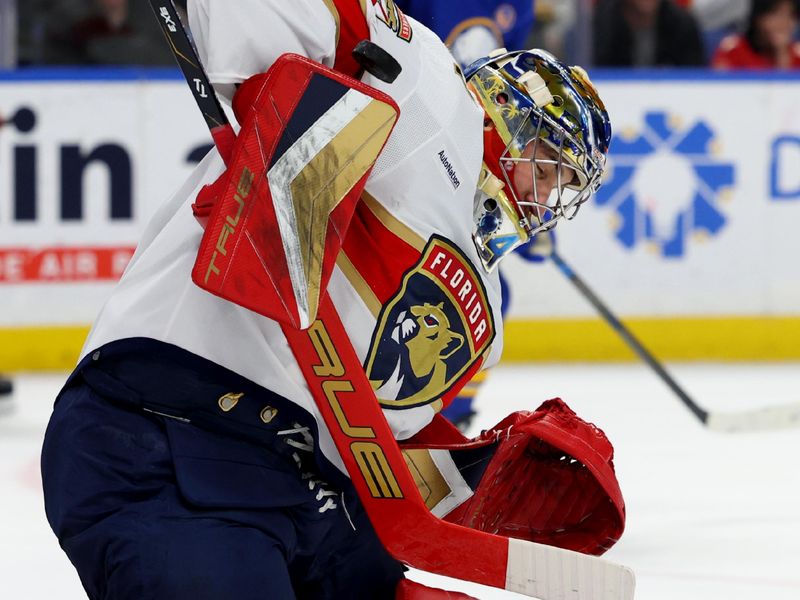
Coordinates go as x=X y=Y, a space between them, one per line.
x=63 y=264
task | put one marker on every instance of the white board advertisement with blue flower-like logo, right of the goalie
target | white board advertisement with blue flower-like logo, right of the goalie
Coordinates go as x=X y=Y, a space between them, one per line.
x=700 y=211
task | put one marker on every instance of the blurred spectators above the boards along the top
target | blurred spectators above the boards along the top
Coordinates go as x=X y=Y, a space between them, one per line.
x=725 y=34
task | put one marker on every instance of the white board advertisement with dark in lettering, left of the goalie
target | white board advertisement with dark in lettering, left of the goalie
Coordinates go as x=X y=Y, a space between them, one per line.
x=83 y=164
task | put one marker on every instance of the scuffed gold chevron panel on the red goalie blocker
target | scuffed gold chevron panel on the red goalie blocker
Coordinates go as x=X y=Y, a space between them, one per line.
x=328 y=177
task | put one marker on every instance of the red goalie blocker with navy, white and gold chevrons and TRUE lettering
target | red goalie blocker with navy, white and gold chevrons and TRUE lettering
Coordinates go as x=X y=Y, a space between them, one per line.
x=276 y=218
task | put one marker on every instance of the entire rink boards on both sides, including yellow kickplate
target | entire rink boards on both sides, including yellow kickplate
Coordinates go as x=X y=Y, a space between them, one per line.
x=692 y=239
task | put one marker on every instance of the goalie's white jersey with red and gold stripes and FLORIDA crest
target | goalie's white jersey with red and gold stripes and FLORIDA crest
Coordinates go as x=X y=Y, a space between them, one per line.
x=420 y=310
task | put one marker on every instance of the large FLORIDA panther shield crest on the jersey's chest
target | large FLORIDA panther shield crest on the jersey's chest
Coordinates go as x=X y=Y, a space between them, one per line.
x=428 y=335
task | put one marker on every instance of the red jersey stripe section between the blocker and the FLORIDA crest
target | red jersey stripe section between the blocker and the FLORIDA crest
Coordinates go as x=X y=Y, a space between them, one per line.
x=379 y=255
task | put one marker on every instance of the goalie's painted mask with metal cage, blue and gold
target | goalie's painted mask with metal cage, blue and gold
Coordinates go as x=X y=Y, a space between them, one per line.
x=546 y=136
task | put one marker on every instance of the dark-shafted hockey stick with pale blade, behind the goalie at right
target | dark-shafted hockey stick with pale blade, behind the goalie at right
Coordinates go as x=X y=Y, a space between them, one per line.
x=765 y=418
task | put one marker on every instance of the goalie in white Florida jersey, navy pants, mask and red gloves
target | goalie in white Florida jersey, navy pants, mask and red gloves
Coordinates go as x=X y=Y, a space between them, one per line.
x=187 y=458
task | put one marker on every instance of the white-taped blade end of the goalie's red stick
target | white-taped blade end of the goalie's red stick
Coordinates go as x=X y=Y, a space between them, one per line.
x=550 y=573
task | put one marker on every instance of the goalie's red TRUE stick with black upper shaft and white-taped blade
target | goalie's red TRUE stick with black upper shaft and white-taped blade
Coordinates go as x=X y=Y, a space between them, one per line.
x=376 y=466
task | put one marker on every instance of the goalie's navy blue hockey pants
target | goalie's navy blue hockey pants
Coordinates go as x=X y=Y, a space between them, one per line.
x=148 y=507
